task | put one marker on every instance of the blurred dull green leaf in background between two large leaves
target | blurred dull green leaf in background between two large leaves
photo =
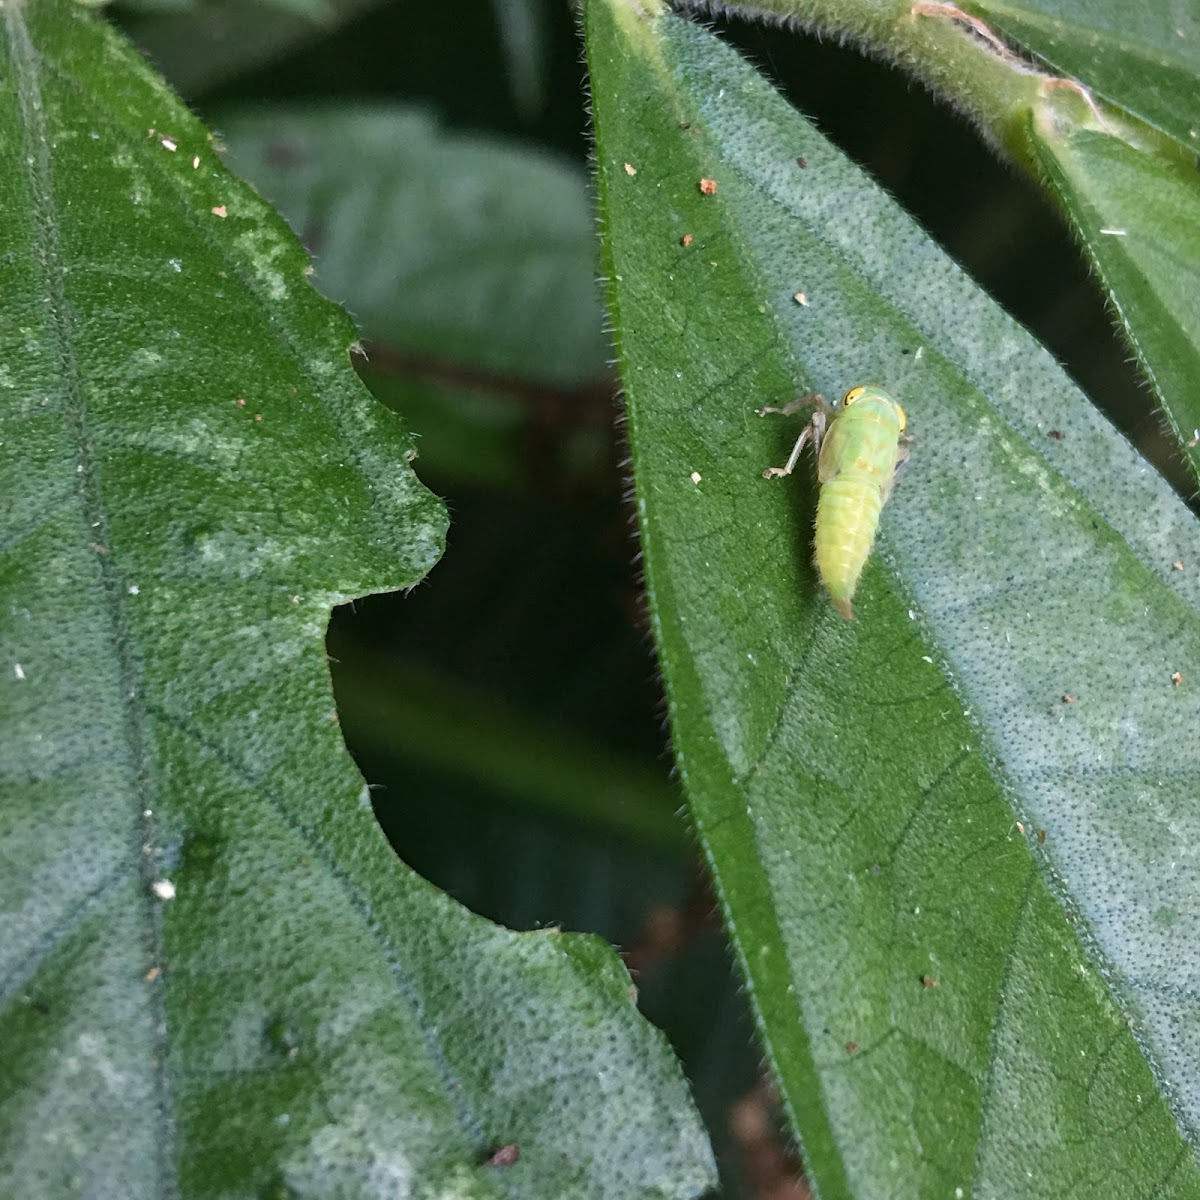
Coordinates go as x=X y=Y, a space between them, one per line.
x=466 y=250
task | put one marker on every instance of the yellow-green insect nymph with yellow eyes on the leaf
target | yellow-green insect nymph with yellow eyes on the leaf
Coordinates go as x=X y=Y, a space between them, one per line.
x=861 y=446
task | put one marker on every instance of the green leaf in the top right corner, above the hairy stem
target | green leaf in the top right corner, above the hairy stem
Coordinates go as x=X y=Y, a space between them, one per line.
x=1144 y=58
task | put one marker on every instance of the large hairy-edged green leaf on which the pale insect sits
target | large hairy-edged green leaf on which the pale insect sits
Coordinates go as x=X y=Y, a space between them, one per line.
x=953 y=839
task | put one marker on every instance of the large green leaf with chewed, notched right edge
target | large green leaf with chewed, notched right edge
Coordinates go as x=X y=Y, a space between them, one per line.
x=215 y=977
